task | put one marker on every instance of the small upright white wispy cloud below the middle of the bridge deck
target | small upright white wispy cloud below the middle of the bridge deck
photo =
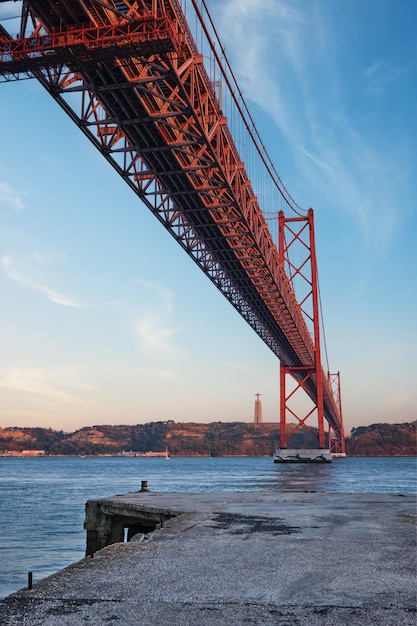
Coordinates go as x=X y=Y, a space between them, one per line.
x=151 y=327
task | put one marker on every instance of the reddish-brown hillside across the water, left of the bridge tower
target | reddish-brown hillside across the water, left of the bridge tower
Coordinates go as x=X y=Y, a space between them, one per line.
x=182 y=439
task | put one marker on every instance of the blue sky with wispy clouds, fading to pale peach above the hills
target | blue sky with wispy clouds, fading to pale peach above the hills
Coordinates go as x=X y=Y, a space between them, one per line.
x=105 y=320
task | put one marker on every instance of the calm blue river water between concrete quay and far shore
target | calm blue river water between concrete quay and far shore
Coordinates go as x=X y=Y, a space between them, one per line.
x=42 y=499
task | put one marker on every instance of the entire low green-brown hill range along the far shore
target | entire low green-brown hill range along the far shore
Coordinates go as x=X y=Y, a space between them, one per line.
x=192 y=439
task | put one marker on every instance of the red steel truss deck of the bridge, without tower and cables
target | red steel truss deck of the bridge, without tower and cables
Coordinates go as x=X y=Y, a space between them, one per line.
x=130 y=76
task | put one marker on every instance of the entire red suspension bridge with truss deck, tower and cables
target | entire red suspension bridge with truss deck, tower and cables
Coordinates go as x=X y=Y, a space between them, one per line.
x=149 y=84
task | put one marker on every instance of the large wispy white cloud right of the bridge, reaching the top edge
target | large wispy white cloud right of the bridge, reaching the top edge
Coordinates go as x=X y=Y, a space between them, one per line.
x=292 y=69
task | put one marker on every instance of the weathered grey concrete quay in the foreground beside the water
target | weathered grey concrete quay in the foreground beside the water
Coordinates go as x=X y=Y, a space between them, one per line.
x=290 y=559
